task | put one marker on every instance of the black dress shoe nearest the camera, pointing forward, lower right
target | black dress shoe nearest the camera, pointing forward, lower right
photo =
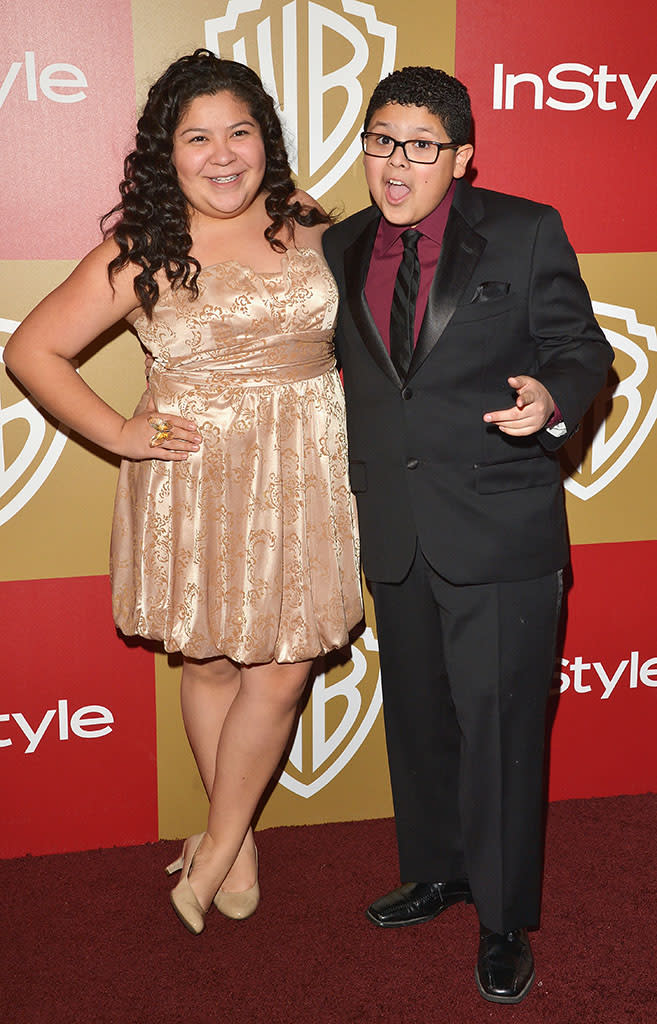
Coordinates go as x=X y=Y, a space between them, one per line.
x=505 y=969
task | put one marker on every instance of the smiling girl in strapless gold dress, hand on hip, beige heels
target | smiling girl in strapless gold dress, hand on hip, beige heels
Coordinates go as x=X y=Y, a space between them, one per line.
x=235 y=538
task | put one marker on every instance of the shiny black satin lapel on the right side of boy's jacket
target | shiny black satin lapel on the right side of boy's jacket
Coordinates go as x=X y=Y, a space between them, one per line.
x=460 y=253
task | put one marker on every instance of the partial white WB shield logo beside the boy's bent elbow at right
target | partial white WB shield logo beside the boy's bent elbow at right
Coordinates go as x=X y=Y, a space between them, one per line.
x=625 y=413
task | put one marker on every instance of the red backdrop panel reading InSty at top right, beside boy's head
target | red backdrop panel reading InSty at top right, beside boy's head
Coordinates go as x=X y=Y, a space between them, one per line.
x=593 y=157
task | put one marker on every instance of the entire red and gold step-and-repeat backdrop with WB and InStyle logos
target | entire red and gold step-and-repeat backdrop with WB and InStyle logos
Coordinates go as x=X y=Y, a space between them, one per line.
x=93 y=751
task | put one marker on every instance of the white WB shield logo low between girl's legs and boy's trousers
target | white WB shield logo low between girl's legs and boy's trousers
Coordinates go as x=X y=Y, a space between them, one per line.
x=338 y=718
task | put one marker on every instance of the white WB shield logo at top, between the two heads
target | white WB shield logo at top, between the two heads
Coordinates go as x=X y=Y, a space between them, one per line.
x=321 y=63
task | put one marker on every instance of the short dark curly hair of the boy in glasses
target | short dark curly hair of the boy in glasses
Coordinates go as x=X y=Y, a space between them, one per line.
x=443 y=95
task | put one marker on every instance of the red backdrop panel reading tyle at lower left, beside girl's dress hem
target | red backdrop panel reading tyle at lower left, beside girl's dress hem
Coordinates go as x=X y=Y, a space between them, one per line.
x=77 y=722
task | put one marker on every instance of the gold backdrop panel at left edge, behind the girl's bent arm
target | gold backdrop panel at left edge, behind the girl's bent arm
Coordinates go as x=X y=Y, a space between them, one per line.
x=64 y=529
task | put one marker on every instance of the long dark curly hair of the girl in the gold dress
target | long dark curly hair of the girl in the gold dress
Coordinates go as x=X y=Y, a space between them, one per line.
x=151 y=225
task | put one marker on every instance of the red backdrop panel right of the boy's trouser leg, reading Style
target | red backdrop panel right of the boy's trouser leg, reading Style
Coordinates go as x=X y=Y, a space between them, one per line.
x=603 y=742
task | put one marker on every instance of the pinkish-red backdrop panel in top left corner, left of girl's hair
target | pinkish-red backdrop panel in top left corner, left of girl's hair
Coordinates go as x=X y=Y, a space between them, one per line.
x=67 y=121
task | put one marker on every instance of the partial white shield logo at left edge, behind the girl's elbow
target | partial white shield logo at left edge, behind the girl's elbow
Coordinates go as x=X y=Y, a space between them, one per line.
x=30 y=446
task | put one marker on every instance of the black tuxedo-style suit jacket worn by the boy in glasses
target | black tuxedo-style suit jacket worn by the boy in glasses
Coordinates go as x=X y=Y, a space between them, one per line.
x=507 y=300
